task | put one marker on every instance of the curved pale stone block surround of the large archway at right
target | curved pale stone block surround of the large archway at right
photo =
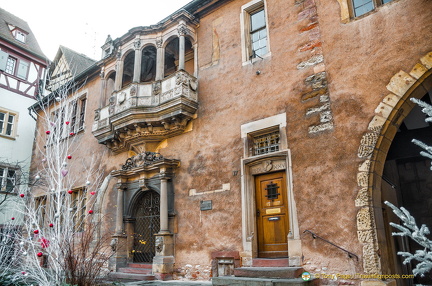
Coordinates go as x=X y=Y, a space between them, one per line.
x=373 y=148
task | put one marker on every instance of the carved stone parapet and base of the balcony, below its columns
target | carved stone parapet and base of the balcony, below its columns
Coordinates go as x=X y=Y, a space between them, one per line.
x=147 y=112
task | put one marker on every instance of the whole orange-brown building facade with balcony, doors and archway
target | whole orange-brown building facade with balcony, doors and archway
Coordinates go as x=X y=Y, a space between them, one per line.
x=233 y=129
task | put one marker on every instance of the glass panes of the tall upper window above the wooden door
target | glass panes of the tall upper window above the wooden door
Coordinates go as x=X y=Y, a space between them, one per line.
x=258 y=33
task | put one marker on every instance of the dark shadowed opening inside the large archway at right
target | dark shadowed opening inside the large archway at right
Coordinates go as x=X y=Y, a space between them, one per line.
x=407 y=182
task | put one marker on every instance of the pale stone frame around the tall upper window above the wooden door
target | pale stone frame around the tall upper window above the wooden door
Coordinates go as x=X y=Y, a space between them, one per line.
x=245 y=13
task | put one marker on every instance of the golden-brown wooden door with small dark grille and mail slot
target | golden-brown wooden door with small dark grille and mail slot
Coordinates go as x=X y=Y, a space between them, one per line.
x=272 y=215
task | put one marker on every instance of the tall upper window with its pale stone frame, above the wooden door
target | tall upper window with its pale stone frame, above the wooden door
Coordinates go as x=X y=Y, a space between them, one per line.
x=254 y=26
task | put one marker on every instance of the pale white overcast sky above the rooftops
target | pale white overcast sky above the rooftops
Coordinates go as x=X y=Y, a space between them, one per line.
x=83 y=25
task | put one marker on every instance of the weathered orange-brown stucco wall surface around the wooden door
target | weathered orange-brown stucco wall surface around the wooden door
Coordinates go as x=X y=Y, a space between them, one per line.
x=328 y=76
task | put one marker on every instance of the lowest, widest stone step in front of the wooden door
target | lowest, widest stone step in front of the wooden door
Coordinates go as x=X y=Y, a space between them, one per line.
x=247 y=281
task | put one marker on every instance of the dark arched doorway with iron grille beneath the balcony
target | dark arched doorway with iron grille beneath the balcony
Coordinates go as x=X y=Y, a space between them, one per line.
x=146 y=215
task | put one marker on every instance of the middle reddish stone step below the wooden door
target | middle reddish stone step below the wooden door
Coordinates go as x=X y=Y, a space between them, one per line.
x=269 y=272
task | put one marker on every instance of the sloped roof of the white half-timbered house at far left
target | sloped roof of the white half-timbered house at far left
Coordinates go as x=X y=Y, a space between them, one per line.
x=31 y=45
